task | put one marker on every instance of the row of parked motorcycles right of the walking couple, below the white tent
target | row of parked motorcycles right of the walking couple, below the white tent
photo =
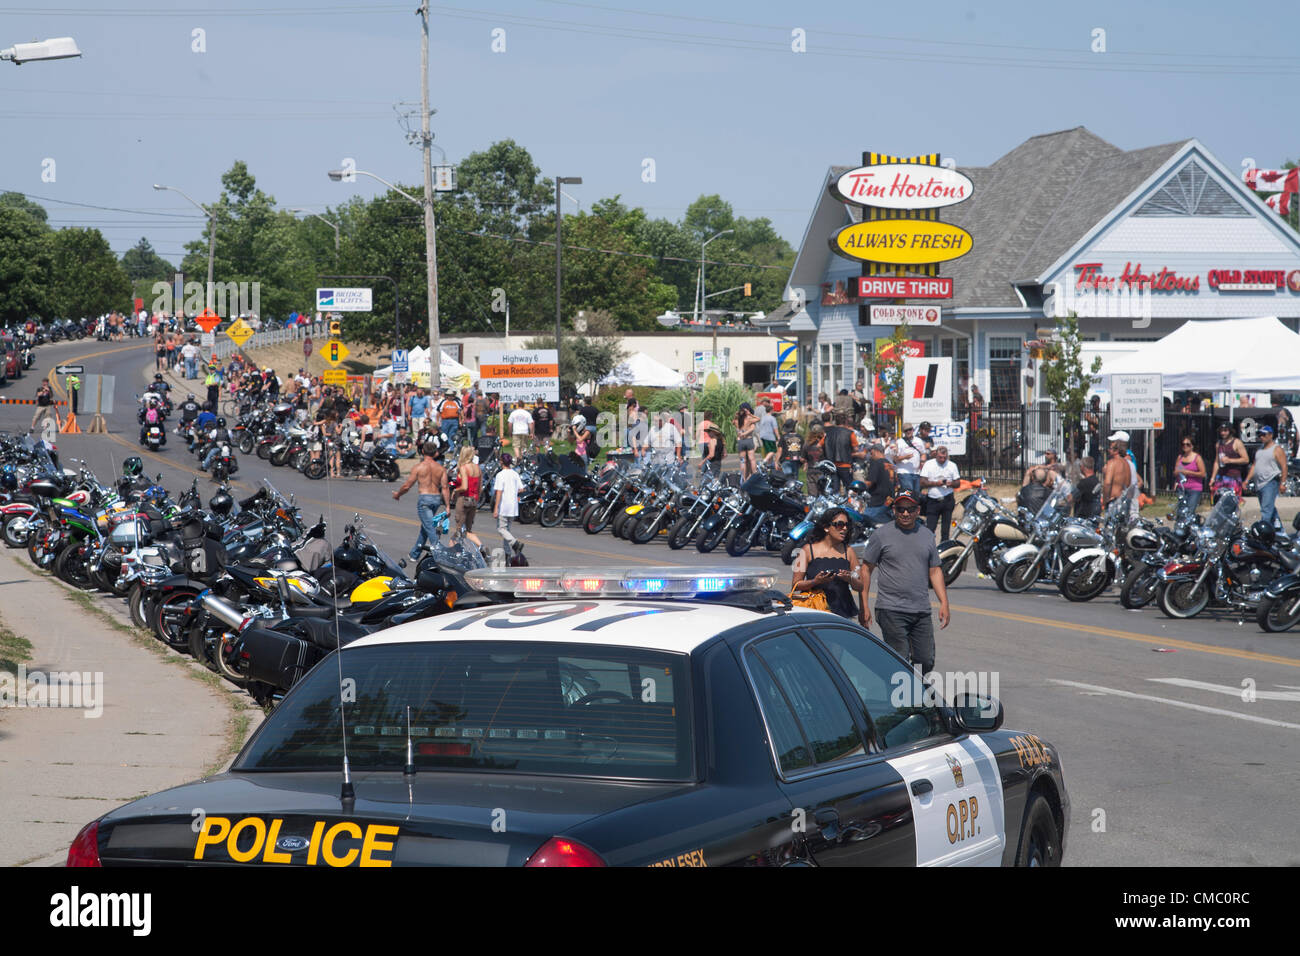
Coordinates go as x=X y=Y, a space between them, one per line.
x=1186 y=566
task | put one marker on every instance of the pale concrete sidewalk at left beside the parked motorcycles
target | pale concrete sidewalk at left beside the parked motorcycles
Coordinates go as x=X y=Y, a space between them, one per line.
x=159 y=728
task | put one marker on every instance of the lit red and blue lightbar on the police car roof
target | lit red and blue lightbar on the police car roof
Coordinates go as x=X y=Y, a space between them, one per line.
x=643 y=582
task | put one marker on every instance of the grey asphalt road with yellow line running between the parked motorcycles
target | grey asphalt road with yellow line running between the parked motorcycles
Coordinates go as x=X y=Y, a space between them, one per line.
x=1181 y=741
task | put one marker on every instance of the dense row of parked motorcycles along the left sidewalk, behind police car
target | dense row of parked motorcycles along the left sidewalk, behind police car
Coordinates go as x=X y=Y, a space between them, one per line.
x=249 y=587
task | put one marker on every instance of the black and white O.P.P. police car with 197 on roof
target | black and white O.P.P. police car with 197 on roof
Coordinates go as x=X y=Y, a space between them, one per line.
x=657 y=717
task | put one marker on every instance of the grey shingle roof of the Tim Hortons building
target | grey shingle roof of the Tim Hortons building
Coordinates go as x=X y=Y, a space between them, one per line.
x=1033 y=205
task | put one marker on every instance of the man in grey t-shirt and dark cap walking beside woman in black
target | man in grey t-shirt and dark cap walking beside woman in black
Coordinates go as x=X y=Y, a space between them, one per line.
x=908 y=560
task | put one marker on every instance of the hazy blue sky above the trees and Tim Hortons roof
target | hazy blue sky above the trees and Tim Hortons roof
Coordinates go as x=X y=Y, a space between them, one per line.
x=712 y=92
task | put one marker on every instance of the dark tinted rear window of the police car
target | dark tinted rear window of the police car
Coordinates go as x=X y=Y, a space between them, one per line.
x=584 y=711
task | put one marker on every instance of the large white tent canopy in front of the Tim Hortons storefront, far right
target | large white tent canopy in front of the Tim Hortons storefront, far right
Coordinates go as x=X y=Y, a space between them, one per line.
x=1258 y=354
